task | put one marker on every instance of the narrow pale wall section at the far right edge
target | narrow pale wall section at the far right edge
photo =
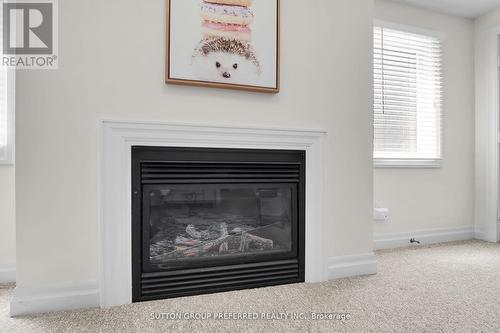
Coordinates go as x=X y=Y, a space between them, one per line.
x=487 y=28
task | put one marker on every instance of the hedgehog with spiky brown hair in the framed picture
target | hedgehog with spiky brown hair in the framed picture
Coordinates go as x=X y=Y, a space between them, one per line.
x=219 y=59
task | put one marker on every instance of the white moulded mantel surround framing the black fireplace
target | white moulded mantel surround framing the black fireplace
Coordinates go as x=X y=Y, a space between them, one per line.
x=117 y=138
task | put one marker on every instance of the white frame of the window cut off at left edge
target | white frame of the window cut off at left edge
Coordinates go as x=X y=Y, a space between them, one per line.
x=10 y=106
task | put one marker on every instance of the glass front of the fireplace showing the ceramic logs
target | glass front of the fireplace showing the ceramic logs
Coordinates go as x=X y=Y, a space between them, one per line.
x=187 y=225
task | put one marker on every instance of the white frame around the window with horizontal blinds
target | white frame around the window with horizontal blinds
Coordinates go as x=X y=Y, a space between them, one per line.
x=400 y=162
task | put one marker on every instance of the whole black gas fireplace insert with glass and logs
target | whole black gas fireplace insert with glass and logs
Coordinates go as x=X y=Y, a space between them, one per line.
x=208 y=220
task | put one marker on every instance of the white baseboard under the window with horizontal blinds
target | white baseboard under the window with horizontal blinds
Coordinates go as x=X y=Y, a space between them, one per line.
x=425 y=237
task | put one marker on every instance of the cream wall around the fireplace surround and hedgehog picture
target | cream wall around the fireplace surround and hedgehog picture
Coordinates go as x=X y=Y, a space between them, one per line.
x=112 y=66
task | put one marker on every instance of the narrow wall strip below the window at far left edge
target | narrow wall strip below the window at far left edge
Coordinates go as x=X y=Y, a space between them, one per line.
x=7 y=218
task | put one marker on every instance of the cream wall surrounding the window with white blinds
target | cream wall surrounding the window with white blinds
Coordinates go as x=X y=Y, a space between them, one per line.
x=423 y=199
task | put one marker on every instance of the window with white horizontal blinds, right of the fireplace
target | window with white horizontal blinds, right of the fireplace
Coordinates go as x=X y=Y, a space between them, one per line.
x=407 y=98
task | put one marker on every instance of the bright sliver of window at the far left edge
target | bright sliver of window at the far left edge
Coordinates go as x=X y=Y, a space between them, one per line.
x=7 y=99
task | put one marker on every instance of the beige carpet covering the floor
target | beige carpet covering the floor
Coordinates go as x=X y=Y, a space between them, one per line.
x=443 y=288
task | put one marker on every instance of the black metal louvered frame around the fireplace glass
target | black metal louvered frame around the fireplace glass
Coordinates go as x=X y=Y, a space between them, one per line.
x=209 y=276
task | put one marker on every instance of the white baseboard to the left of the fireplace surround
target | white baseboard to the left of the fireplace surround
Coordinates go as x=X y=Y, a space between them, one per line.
x=41 y=299
